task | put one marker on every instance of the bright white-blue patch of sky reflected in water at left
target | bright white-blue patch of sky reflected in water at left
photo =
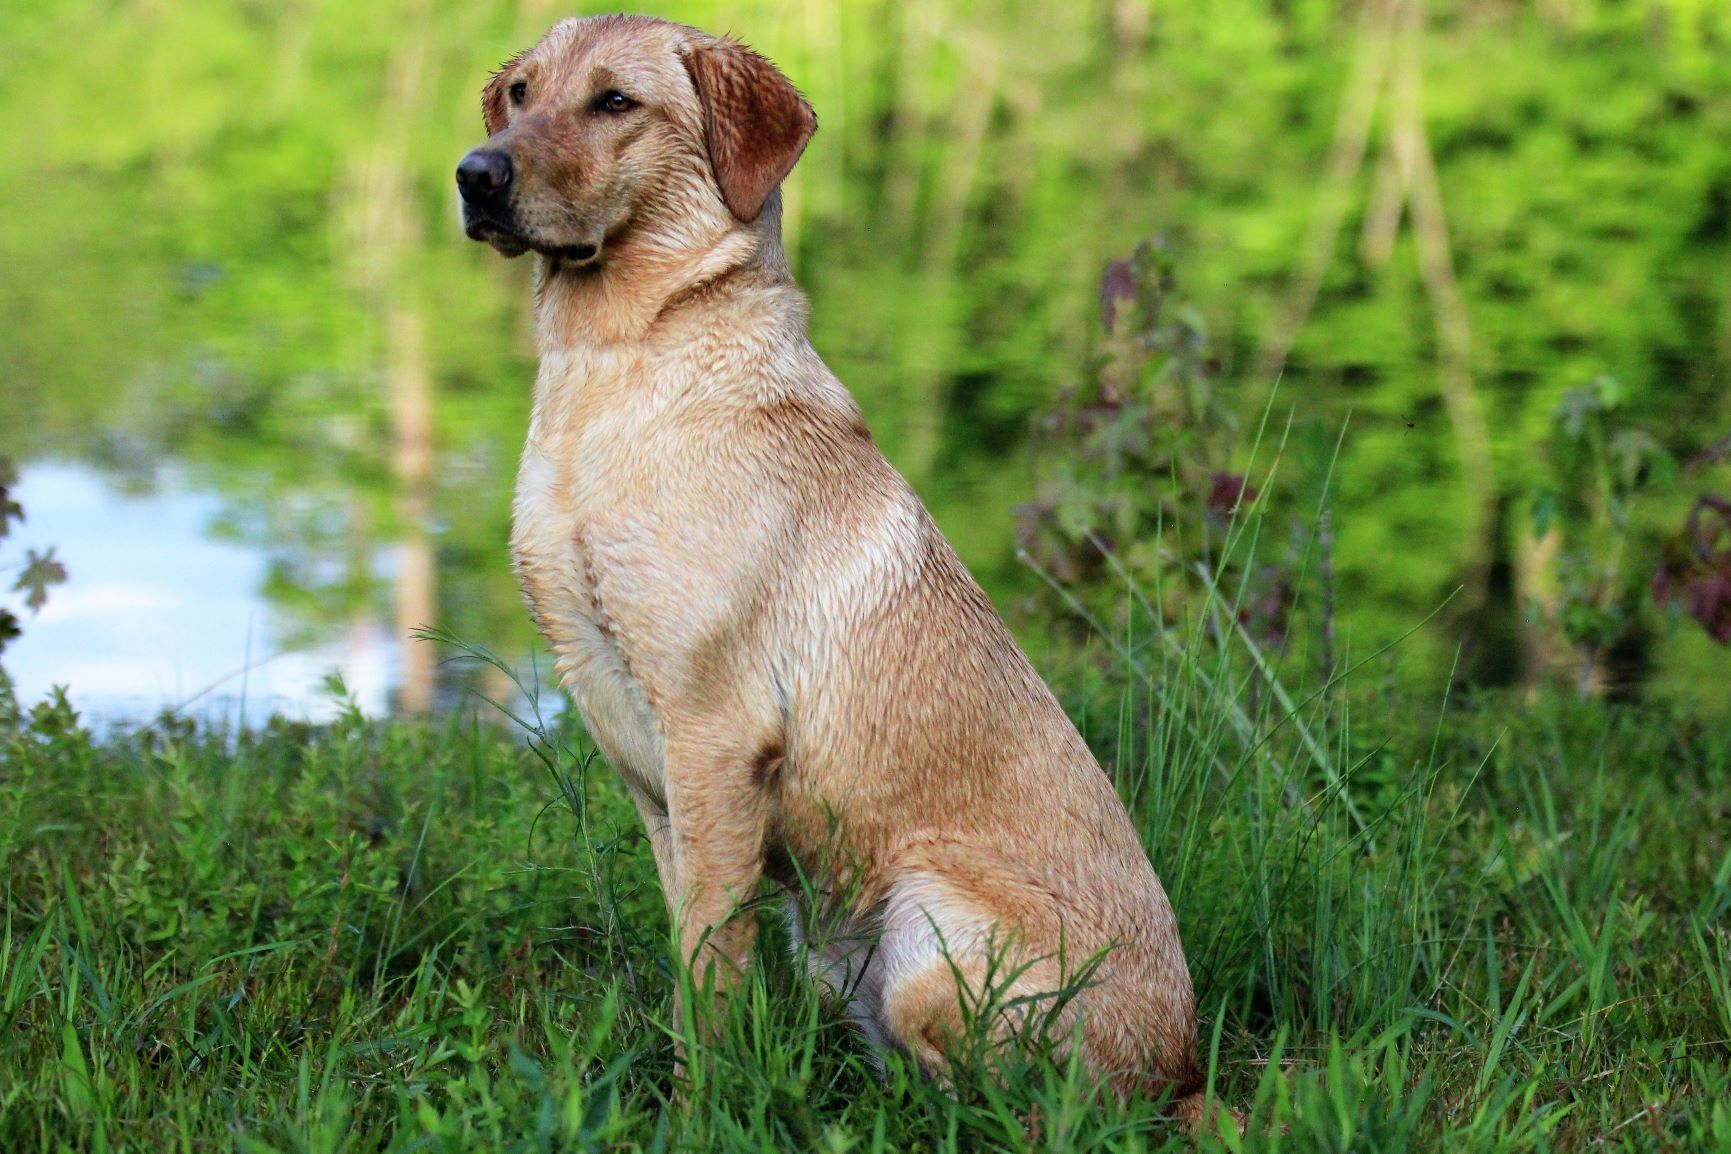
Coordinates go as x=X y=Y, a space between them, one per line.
x=162 y=615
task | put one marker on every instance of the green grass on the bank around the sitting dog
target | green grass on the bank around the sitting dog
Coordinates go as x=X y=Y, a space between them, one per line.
x=1493 y=925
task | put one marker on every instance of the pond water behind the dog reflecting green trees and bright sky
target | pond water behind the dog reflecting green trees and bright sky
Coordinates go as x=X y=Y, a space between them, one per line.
x=267 y=401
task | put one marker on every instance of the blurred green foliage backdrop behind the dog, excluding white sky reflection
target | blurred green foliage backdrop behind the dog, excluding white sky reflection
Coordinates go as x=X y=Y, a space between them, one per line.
x=1462 y=267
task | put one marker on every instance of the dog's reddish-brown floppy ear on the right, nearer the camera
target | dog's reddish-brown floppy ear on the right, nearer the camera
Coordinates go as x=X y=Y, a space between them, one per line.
x=756 y=120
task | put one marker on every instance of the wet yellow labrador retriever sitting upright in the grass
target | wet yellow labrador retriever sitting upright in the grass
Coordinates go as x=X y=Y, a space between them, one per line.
x=759 y=622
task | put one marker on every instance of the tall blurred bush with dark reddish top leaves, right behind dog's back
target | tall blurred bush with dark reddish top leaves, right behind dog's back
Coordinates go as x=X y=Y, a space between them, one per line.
x=1136 y=485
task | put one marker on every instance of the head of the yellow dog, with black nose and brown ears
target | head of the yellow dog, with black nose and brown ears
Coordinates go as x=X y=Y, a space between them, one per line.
x=621 y=122
